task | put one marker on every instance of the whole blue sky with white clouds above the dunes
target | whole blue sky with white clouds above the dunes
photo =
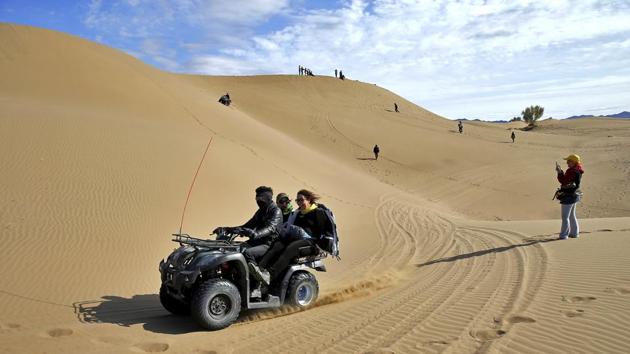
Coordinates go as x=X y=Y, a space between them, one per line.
x=457 y=58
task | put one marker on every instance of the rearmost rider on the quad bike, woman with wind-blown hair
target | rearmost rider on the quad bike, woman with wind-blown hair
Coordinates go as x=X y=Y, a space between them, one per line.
x=309 y=226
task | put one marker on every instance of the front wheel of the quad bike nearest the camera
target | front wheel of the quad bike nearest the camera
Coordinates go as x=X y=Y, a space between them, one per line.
x=216 y=304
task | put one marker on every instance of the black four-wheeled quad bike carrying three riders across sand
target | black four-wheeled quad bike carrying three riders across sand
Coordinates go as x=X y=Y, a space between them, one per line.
x=210 y=280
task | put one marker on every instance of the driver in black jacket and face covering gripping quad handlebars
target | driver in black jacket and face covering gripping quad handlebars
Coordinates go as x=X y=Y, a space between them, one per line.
x=262 y=229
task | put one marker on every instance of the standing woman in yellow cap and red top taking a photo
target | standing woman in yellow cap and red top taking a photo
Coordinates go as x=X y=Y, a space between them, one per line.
x=569 y=195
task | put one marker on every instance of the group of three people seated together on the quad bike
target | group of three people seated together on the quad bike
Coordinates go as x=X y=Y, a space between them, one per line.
x=276 y=232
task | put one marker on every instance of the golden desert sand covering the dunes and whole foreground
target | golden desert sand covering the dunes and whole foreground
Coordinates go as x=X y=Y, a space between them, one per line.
x=448 y=241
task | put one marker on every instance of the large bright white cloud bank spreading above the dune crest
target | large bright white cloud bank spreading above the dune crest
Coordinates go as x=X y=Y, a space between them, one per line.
x=447 y=54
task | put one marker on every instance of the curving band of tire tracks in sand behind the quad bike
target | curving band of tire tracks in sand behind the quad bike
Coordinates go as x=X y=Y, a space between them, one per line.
x=464 y=288
